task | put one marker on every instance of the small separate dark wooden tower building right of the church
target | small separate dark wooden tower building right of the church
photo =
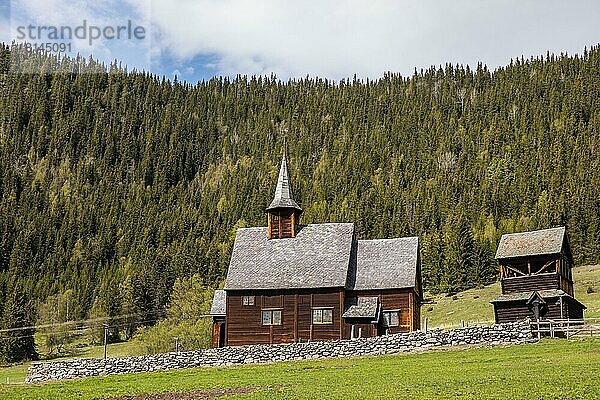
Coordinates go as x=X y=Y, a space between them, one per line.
x=536 y=277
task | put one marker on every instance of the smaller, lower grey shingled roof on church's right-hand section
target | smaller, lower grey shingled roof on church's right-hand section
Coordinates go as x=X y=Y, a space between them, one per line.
x=384 y=264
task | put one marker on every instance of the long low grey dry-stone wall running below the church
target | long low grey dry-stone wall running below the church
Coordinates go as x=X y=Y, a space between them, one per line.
x=403 y=342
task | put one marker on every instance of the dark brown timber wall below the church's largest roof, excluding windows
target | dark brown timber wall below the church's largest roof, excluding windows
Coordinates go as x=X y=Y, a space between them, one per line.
x=244 y=323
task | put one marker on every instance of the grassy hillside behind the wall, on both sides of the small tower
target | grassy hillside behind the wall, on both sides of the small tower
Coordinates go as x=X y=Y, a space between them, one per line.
x=473 y=306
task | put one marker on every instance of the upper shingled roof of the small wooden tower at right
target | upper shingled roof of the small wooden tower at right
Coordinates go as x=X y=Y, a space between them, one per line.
x=546 y=241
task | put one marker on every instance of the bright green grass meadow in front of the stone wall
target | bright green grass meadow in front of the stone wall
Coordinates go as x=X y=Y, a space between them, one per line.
x=554 y=368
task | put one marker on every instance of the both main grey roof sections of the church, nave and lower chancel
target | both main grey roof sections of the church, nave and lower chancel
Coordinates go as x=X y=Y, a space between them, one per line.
x=321 y=256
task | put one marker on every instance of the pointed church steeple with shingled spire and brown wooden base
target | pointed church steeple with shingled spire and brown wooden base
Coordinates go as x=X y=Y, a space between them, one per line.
x=283 y=212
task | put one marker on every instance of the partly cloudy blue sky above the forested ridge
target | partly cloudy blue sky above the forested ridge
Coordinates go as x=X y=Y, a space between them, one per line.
x=334 y=39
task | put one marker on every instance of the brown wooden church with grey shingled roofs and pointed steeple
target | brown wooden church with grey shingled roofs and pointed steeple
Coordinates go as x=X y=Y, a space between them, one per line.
x=291 y=283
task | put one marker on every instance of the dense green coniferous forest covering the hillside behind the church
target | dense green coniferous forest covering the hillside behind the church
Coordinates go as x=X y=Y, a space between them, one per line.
x=114 y=185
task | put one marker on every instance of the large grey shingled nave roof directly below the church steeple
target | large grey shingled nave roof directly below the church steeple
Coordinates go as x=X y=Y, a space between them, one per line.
x=318 y=257
